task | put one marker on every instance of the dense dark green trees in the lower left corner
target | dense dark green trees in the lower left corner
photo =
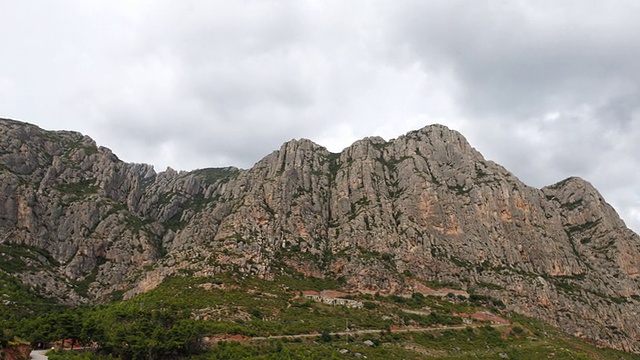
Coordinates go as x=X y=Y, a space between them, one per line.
x=127 y=333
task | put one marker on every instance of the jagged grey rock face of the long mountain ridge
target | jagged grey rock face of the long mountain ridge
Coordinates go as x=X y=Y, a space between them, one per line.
x=379 y=214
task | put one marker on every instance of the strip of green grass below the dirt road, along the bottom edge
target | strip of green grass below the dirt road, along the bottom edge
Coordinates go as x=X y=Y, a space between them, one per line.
x=485 y=342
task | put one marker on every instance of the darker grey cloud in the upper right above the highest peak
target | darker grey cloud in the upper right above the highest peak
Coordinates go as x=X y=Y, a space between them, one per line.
x=518 y=59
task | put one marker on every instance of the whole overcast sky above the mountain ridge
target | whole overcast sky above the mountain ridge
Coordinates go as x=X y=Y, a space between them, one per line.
x=548 y=89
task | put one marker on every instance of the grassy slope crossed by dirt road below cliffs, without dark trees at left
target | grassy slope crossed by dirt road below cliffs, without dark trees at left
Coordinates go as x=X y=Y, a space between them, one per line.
x=227 y=305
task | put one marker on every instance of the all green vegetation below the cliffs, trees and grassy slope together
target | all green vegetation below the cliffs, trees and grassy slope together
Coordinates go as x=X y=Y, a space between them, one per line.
x=173 y=320
